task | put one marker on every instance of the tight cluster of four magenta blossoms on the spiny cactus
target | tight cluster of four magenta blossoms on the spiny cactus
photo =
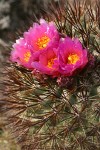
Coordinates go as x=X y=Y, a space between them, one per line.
x=41 y=49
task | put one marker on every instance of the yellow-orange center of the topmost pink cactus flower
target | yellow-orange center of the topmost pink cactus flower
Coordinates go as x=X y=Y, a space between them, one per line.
x=42 y=42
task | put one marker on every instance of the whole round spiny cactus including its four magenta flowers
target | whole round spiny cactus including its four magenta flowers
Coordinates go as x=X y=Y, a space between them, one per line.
x=52 y=89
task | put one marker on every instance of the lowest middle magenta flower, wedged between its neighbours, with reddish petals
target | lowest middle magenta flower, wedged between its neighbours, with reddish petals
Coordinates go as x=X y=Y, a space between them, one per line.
x=47 y=63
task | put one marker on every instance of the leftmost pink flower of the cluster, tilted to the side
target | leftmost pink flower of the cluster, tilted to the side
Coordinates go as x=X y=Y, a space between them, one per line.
x=21 y=53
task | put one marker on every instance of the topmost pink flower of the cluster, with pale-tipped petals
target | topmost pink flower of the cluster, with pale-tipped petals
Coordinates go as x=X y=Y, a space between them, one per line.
x=42 y=36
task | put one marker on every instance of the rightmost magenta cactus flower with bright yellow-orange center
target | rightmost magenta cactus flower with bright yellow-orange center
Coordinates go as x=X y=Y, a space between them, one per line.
x=71 y=56
